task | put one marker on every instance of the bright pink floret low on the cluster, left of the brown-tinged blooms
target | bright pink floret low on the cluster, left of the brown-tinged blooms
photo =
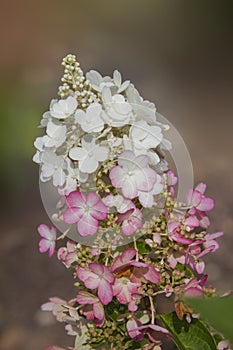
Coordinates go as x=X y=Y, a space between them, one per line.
x=100 y=277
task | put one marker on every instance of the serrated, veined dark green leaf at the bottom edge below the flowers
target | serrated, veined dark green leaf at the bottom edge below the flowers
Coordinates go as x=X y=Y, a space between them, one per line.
x=188 y=336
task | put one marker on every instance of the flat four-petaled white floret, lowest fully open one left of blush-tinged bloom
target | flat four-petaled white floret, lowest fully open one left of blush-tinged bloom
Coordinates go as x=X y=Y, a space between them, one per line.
x=89 y=155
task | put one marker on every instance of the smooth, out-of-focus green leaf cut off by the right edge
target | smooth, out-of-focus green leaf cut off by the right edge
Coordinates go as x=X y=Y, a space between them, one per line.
x=218 y=312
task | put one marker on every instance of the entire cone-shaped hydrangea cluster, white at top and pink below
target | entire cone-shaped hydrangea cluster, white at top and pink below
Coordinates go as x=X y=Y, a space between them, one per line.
x=103 y=151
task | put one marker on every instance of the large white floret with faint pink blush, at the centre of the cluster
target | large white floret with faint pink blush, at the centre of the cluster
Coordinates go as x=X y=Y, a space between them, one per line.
x=132 y=174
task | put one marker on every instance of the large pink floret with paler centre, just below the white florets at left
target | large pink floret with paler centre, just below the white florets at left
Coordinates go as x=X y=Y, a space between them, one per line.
x=85 y=210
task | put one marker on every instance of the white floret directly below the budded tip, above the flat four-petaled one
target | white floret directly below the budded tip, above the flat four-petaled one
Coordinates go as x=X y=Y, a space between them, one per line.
x=90 y=120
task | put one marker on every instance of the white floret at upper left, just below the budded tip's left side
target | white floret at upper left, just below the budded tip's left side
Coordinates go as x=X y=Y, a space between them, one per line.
x=62 y=109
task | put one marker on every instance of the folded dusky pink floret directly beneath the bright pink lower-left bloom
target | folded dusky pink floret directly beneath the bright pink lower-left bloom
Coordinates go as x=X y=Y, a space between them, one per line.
x=93 y=309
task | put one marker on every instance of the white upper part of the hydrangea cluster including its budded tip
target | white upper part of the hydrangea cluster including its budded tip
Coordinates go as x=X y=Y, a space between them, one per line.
x=95 y=120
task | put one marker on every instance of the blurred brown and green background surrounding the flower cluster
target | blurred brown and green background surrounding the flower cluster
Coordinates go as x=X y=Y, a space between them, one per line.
x=178 y=54
